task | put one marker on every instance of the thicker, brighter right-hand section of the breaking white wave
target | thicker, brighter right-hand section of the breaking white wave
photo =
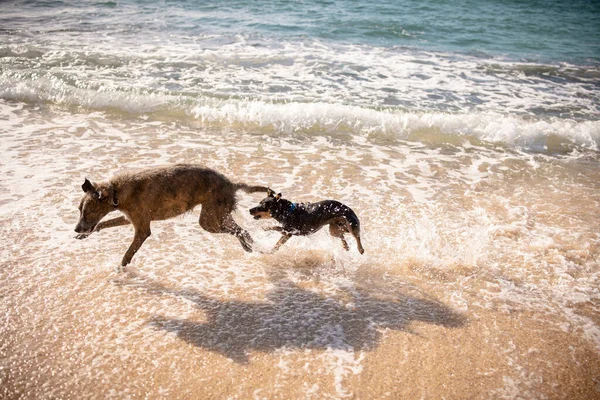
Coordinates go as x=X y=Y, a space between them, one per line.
x=529 y=134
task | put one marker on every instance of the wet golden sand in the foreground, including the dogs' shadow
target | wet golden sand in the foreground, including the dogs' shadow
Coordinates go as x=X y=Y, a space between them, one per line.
x=96 y=333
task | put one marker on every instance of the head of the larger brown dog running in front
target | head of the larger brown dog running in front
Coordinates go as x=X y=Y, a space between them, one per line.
x=98 y=201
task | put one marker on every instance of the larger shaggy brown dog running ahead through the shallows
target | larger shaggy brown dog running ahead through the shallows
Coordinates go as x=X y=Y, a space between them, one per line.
x=161 y=193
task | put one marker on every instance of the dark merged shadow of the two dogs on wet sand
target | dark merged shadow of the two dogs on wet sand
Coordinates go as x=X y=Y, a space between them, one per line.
x=295 y=318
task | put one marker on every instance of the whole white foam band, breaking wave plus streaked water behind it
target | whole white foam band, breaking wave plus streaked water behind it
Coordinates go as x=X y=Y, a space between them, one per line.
x=313 y=86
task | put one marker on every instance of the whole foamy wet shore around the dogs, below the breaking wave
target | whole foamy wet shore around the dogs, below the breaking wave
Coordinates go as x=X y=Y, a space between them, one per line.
x=480 y=277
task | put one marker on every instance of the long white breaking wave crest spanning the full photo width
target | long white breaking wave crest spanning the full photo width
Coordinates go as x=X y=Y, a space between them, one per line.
x=534 y=134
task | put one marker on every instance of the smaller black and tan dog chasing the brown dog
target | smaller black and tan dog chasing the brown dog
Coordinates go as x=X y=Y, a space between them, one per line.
x=307 y=218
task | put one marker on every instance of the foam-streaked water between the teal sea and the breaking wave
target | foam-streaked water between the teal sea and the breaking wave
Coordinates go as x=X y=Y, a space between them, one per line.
x=302 y=72
